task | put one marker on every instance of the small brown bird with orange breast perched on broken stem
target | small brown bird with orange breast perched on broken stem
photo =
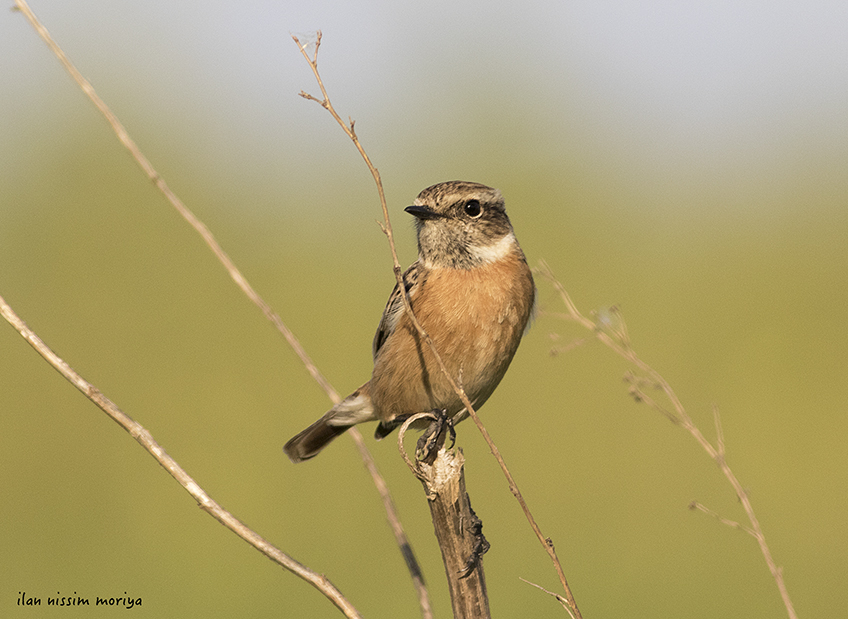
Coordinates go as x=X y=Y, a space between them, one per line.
x=473 y=293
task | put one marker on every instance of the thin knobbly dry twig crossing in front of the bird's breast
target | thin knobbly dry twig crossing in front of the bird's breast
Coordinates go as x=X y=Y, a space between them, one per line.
x=348 y=128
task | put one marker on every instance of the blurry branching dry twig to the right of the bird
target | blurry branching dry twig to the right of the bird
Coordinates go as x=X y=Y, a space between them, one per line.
x=612 y=331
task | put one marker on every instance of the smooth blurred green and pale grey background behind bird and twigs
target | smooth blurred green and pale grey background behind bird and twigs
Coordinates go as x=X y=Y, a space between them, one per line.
x=685 y=162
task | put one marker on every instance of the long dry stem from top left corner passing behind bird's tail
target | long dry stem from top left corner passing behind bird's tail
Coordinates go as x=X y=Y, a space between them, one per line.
x=241 y=281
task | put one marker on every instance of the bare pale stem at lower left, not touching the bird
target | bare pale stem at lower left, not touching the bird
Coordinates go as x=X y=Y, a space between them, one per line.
x=146 y=440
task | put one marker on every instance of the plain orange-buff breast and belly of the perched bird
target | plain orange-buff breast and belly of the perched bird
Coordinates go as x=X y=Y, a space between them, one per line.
x=476 y=318
